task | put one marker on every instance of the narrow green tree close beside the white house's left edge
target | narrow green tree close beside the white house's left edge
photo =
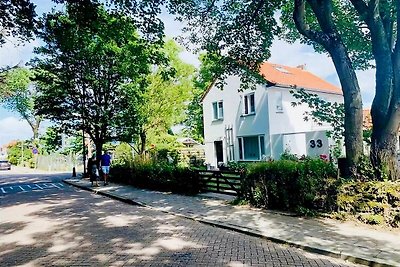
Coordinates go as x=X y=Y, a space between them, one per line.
x=194 y=114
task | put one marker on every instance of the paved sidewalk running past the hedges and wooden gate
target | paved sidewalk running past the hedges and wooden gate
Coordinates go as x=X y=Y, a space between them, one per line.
x=356 y=243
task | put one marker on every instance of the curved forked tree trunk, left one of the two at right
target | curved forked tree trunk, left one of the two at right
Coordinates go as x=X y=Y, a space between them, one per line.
x=329 y=38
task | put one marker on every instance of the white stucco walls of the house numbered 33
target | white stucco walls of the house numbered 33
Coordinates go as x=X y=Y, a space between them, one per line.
x=282 y=127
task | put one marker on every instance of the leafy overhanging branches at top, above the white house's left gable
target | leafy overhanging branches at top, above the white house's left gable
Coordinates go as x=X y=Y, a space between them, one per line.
x=236 y=34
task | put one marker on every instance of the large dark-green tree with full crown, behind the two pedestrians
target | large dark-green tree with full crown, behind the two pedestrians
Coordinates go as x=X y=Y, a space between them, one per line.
x=92 y=68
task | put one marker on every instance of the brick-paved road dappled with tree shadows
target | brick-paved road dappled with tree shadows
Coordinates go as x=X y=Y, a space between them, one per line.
x=69 y=227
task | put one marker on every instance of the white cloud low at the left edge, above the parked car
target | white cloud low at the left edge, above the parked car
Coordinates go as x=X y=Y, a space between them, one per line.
x=13 y=129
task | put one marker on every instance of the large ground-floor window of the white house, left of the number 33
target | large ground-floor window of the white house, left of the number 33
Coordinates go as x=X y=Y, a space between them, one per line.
x=251 y=147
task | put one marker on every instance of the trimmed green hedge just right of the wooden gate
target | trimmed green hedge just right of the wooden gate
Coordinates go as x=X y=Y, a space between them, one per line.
x=300 y=186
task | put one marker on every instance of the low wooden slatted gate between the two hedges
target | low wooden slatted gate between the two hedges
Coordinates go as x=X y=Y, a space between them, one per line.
x=224 y=182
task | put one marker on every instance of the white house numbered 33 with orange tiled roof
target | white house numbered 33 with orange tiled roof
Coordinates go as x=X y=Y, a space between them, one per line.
x=256 y=124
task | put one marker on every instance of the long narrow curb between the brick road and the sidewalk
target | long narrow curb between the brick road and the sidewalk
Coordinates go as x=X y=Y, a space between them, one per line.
x=242 y=230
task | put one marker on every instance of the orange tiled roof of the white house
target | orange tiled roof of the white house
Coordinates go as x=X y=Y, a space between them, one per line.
x=296 y=77
